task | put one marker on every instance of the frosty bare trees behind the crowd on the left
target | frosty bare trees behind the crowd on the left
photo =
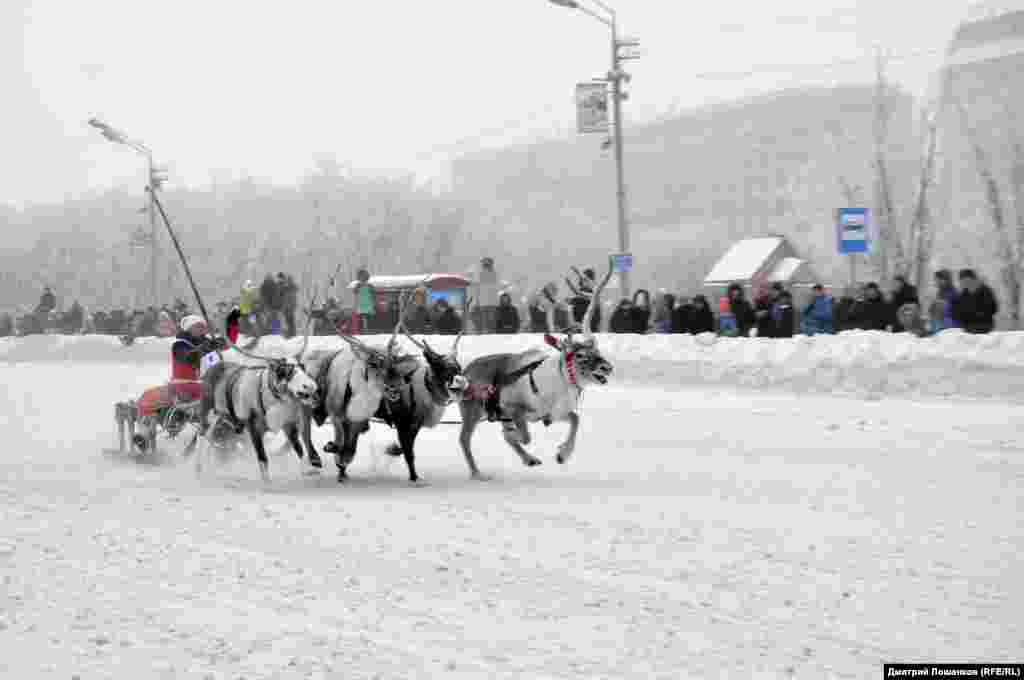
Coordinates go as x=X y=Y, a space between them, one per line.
x=231 y=233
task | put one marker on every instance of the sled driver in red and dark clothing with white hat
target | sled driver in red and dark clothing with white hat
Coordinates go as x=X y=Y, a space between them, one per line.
x=191 y=345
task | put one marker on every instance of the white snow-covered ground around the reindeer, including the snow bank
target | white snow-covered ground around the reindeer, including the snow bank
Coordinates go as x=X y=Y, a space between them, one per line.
x=703 y=530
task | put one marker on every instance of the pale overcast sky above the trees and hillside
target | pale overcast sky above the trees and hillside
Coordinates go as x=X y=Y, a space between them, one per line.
x=225 y=88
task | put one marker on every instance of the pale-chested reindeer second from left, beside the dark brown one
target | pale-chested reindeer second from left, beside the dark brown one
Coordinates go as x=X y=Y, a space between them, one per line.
x=351 y=386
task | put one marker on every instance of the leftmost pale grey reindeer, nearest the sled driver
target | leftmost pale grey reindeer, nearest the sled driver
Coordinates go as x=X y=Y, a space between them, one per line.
x=263 y=399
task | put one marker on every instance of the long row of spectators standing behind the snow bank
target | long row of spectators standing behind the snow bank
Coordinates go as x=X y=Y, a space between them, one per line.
x=273 y=308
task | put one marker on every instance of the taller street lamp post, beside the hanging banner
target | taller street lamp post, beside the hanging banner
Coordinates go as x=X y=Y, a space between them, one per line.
x=616 y=76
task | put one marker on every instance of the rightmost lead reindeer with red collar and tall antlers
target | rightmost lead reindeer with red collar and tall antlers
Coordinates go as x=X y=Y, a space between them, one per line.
x=535 y=386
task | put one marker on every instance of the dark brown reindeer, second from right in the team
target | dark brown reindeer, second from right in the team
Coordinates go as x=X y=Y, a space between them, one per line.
x=424 y=393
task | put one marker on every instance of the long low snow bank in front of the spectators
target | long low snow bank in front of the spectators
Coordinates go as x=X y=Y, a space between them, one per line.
x=871 y=365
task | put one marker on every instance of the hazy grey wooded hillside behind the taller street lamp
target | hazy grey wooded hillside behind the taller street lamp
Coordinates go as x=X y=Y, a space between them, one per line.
x=696 y=184
